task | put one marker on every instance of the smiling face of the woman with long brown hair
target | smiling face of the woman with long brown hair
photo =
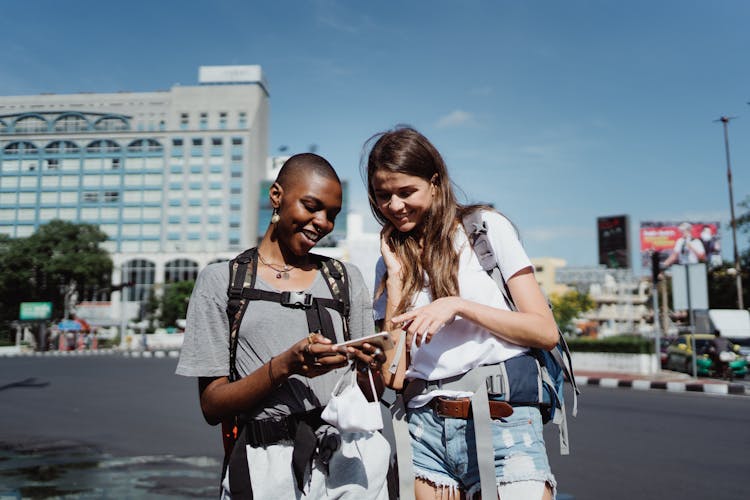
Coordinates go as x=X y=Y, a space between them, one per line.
x=402 y=199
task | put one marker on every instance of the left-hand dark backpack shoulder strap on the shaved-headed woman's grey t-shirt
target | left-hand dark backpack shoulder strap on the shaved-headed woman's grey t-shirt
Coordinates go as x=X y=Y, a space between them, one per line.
x=242 y=272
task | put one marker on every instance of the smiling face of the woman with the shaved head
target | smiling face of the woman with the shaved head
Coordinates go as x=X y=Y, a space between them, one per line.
x=307 y=210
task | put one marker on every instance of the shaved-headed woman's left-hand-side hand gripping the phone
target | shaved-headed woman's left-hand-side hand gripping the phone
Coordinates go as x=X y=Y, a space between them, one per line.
x=313 y=356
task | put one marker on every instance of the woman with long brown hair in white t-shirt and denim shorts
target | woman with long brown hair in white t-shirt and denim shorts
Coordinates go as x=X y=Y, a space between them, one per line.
x=455 y=320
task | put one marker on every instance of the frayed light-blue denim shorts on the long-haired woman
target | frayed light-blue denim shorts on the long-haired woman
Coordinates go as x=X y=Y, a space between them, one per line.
x=444 y=449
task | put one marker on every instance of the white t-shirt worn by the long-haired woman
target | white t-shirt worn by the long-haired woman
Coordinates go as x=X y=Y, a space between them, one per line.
x=463 y=345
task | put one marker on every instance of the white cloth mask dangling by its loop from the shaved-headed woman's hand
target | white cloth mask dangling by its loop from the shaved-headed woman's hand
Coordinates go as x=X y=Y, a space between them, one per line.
x=349 y=410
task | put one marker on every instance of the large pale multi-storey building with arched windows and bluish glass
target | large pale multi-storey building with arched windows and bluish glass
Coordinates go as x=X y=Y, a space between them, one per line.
x=170 y=176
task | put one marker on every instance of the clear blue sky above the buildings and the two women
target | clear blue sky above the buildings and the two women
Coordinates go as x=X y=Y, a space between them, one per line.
x=556 y=112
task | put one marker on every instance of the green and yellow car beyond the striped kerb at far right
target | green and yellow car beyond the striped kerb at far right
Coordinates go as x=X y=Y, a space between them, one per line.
x=680 y=356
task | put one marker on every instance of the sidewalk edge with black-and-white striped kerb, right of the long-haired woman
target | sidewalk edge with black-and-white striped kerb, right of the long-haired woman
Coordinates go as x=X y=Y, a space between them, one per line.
x=663 y=380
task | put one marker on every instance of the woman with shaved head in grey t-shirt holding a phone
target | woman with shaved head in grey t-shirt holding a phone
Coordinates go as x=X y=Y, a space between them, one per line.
x=261 y=337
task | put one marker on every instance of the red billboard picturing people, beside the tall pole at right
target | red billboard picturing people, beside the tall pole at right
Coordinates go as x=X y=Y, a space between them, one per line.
x=681 y=242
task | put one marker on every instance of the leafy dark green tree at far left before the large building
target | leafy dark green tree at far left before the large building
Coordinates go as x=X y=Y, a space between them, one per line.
x=39 y=268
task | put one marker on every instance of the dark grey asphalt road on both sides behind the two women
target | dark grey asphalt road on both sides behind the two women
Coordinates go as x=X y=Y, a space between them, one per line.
x=113 y=427
